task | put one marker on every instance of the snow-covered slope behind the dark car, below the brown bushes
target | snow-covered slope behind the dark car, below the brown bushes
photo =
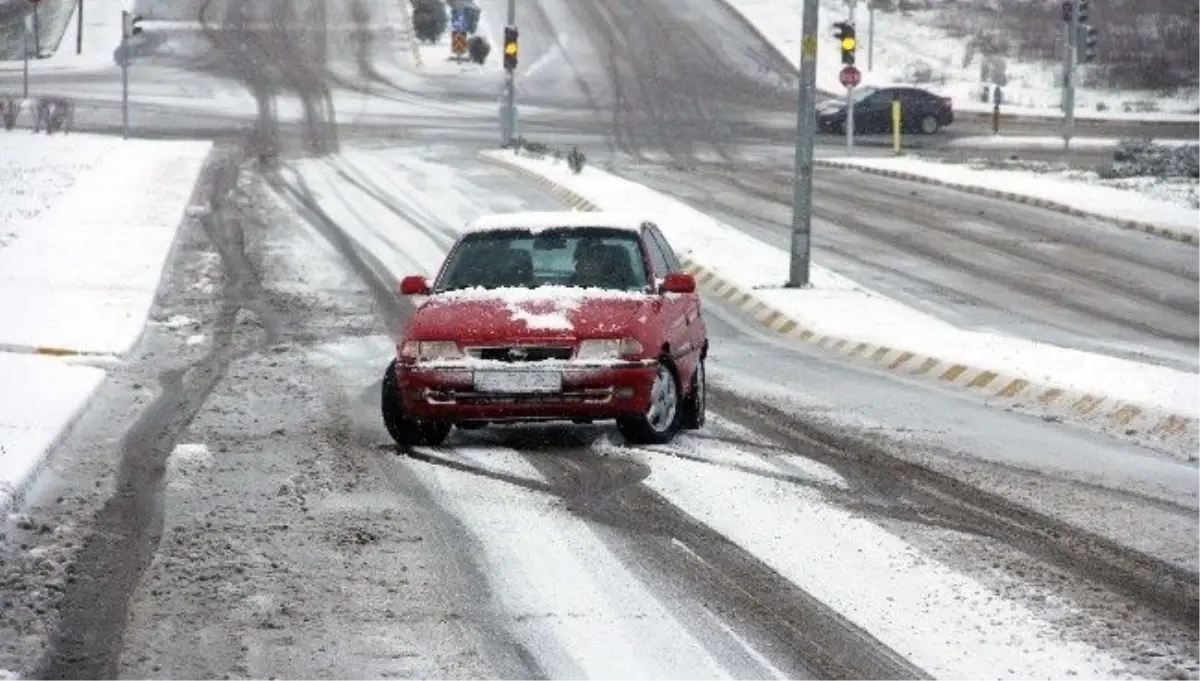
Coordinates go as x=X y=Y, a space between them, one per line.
x=905 y=50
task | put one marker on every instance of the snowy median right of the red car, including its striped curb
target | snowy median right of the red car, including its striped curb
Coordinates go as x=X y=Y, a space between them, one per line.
x=837 y=315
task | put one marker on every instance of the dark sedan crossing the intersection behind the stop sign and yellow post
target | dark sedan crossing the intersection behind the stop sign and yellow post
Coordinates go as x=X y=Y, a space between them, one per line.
x=922 y=112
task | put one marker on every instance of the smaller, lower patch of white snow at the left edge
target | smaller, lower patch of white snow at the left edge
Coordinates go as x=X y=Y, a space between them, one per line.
x=41 y=397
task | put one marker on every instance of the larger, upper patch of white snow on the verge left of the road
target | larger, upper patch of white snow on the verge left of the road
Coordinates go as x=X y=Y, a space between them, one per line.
x=82 y=274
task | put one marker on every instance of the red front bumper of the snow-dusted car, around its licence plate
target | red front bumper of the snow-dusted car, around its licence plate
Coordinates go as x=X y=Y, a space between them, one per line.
x=586 y=391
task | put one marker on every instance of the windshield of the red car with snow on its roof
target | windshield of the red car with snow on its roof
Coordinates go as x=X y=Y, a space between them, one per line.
x=592 y=257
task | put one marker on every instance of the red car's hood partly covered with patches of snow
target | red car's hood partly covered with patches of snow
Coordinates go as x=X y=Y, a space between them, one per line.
x=478 y=317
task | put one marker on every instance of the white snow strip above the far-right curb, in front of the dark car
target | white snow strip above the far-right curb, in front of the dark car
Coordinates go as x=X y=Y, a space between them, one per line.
x=1107 y=202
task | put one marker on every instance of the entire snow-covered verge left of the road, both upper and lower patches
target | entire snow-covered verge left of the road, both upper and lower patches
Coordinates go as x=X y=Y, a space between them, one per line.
x=86 y=228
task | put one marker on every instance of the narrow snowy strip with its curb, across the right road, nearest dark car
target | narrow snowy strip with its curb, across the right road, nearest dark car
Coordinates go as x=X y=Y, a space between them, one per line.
x=1126 y=209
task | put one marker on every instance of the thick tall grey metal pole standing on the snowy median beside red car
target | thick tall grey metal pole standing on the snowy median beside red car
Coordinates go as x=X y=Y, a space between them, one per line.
x=806 y=136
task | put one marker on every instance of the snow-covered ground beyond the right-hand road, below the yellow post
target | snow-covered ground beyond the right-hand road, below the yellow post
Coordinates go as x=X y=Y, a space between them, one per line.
x=1162 y=202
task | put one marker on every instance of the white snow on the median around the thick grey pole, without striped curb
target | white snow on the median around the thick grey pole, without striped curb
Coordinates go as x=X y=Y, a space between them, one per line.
x=754 y=266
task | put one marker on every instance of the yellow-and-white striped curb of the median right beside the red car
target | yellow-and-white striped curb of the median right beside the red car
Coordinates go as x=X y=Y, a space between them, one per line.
x=1114 y=417
